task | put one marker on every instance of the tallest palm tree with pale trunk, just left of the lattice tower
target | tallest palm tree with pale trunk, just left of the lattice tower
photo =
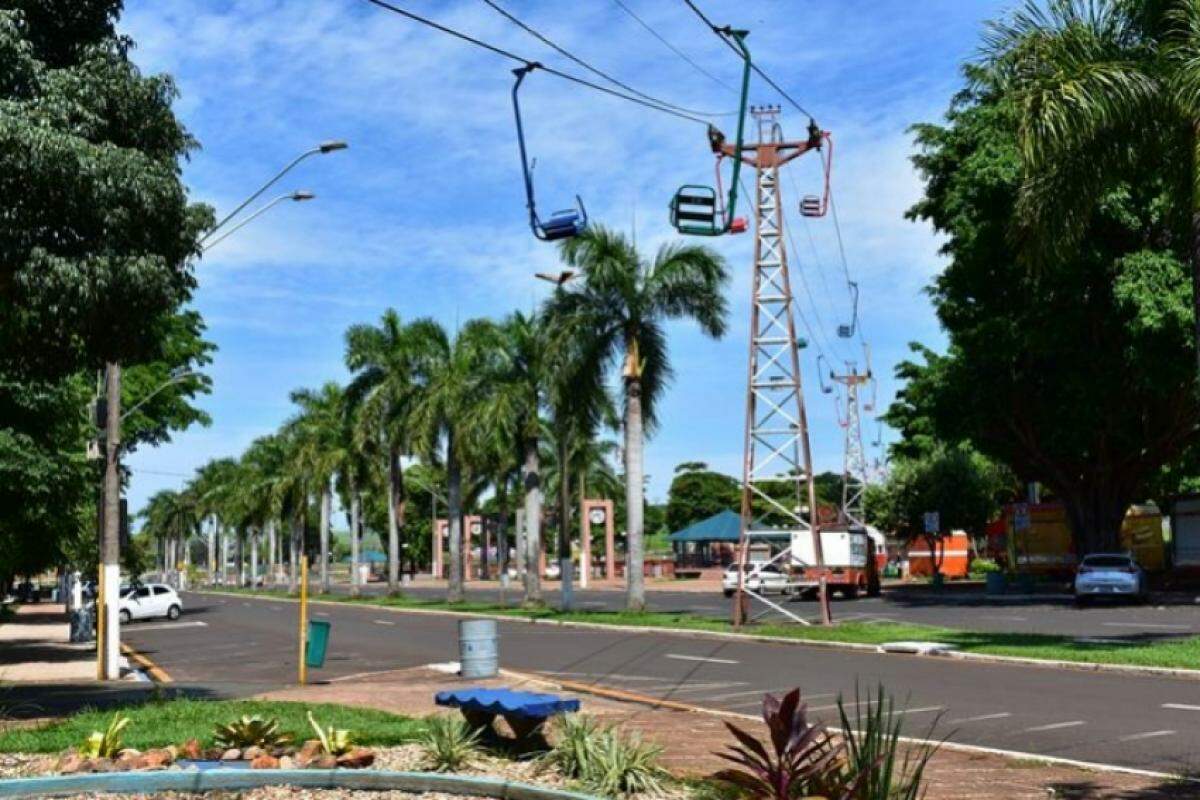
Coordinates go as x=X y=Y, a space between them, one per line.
x=617 y=314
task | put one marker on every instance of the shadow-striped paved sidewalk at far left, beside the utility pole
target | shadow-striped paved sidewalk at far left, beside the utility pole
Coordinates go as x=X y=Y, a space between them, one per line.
x=35 y=648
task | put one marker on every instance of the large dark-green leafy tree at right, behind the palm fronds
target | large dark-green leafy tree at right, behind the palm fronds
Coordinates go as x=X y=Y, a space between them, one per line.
x=1077 y=375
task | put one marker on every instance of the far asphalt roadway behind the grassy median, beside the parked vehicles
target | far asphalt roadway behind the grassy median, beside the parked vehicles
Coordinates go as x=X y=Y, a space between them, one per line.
x=1179 y=616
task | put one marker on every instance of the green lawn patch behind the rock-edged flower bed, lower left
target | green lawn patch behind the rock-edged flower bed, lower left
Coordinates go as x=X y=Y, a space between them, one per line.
x=173 y=723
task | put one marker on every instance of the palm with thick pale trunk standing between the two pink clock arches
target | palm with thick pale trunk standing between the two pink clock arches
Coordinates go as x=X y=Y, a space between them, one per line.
x=519 y=380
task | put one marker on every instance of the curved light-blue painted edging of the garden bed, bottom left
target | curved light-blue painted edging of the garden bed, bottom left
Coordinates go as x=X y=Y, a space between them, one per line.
x=225 y=780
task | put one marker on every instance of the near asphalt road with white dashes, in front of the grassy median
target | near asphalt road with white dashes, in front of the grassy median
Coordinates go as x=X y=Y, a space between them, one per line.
x=232 y=647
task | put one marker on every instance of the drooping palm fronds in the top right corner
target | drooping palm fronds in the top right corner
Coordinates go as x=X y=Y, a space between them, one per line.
x=1105 y=89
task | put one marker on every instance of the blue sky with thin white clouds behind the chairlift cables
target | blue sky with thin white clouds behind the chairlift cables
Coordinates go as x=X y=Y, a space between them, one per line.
x=425 y=213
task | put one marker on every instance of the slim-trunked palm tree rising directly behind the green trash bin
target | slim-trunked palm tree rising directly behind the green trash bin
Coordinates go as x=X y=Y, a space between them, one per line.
x=321 y=426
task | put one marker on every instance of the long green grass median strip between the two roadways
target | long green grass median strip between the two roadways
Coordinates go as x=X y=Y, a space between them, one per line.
x=1161 y=653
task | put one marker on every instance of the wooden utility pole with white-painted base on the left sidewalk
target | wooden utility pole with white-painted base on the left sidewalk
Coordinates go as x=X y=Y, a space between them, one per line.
x=109 y=642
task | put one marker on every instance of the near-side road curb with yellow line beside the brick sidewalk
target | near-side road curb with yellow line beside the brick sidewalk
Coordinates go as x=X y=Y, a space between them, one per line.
x=653 y=702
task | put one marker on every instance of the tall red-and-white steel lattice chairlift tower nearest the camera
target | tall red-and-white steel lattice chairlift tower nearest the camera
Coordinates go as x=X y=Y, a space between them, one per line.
x=777 y=428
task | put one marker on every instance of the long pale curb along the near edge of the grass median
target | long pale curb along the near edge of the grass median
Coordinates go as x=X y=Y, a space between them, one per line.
x=958 y=655
